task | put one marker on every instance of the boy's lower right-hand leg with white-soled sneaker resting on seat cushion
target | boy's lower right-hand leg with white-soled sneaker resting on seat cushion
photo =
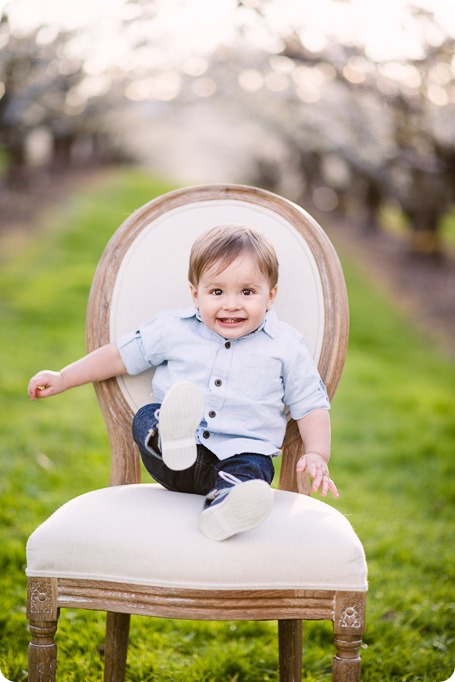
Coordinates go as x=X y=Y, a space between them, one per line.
x=242 y=497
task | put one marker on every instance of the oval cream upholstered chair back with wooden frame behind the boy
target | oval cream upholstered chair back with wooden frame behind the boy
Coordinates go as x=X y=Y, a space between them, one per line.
x=144 y=270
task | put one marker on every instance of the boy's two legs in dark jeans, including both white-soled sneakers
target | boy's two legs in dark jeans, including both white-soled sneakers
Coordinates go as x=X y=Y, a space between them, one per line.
x=240 y=497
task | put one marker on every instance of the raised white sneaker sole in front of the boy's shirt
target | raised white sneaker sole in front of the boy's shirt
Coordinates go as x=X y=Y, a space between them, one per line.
x=180 y=414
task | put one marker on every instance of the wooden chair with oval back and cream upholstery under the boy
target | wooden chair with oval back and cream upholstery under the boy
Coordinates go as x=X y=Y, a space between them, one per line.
x=98 y=552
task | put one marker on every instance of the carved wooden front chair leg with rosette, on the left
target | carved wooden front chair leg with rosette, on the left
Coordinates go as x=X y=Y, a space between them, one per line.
x=43 y=614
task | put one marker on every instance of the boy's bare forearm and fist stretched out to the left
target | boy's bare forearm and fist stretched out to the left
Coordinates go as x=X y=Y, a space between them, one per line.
x=103 y=363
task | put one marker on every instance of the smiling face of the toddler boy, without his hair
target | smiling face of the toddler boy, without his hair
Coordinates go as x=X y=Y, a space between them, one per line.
x=233 y=302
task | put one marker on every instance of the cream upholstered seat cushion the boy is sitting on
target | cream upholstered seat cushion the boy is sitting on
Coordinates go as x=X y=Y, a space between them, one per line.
x=146 y=535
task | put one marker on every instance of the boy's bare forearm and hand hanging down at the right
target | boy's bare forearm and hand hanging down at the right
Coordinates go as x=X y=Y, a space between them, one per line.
x=315 y=433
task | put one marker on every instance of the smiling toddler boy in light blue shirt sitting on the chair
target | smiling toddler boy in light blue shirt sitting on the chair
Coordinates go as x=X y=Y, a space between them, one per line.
x=225 y=370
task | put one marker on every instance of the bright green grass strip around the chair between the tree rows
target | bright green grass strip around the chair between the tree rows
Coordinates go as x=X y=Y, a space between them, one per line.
x=393 y=441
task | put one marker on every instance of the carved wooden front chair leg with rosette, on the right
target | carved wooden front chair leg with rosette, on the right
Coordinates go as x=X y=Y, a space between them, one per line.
x=349 y=626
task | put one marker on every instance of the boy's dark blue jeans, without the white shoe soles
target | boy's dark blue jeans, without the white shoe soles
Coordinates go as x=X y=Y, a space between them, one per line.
x=202 y=477
